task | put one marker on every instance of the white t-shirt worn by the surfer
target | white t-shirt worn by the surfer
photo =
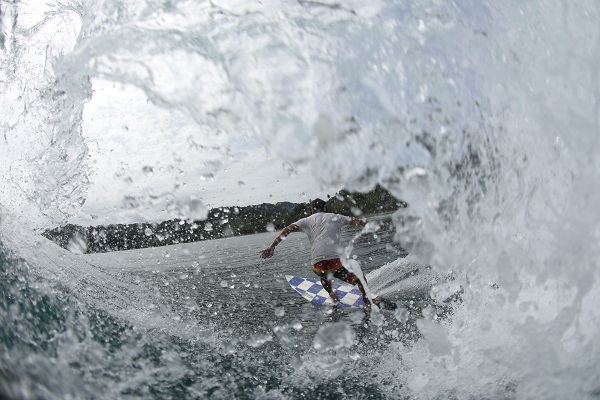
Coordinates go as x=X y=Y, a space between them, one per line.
x=324 y=231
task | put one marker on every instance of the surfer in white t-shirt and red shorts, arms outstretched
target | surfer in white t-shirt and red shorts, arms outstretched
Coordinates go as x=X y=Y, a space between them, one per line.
x=324 y=230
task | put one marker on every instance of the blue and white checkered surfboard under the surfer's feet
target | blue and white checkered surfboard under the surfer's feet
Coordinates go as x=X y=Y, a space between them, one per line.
x=313 y=291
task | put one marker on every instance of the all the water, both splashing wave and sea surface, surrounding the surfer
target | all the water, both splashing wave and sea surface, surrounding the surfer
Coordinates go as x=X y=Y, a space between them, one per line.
x=483 y=116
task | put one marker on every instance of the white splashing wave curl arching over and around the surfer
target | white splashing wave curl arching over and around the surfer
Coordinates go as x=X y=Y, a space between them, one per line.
x=483 y=116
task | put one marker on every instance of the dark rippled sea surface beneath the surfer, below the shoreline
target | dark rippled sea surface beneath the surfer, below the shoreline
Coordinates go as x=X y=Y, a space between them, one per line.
x=201 y=320
